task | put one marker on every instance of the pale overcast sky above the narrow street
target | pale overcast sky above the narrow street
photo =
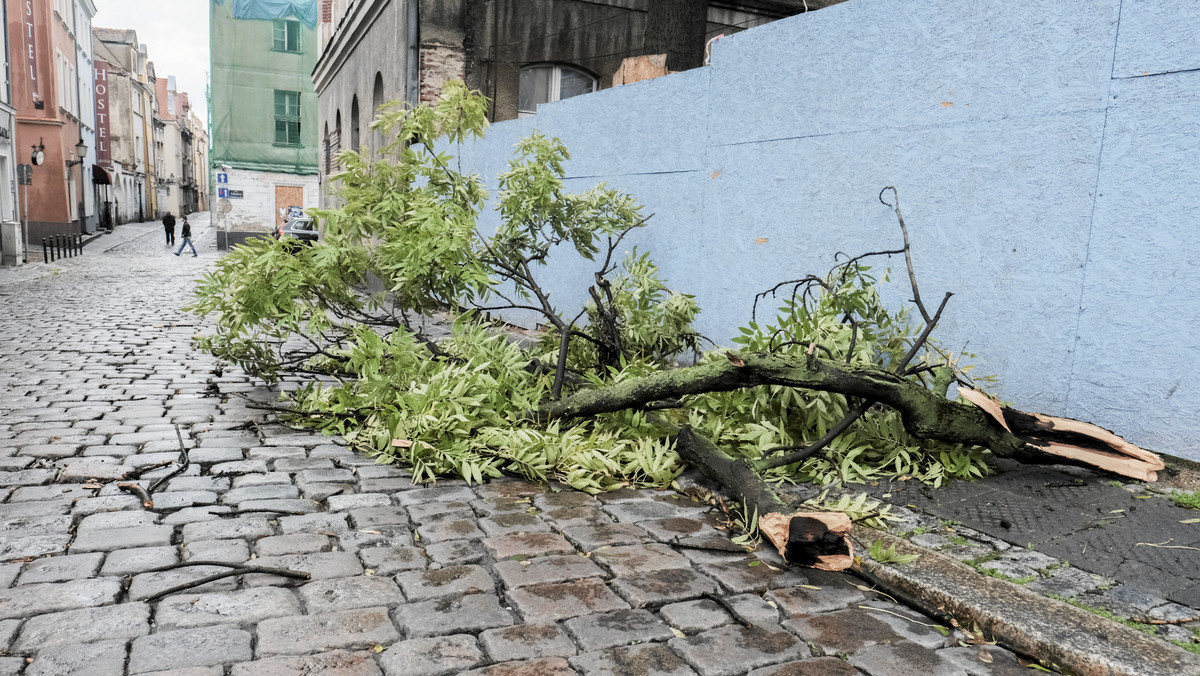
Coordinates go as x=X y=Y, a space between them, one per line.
x=177 y=38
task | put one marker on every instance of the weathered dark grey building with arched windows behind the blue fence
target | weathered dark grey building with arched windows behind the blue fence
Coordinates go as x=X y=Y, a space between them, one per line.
x=520 y=53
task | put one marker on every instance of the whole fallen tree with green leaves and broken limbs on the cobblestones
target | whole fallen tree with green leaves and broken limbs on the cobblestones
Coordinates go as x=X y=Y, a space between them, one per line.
x=836 y=388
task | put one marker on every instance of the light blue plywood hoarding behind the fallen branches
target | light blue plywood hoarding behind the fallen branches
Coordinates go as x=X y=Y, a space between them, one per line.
x=1047 y=154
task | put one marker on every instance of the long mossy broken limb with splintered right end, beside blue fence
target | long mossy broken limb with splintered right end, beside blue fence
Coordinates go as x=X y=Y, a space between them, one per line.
x=926 y=415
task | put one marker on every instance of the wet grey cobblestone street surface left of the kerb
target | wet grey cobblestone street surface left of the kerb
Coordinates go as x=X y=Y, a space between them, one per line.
x=505 y=578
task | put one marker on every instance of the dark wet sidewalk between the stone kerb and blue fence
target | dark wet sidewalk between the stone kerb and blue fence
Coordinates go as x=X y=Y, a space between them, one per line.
x=1114 y=546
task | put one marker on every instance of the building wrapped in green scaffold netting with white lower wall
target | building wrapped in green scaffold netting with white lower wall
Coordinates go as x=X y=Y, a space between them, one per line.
x=265 y=113
